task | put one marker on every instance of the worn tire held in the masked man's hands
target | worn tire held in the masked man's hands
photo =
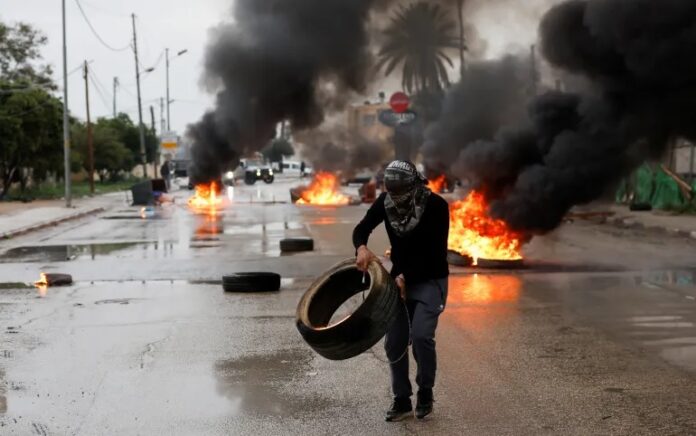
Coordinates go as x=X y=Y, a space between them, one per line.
x=360 y=330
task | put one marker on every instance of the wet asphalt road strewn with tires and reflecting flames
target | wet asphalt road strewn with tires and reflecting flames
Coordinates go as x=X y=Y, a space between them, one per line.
x=596 y=336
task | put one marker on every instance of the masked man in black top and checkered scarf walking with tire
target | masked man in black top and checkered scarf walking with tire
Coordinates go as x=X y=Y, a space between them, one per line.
x=417 y=223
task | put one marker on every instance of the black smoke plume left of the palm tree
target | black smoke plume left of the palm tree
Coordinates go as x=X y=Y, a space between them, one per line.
x=279 y=60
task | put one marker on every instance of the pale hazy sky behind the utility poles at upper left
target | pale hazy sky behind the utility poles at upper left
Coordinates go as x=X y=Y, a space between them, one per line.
x=176 y=24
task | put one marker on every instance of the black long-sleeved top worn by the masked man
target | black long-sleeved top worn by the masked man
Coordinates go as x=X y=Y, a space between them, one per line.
x=421 y=255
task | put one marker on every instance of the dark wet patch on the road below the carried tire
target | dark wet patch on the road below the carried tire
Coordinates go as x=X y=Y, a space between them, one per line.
x=253 y=383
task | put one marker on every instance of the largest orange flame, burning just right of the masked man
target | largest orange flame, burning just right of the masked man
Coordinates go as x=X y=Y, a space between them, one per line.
x=474 y=233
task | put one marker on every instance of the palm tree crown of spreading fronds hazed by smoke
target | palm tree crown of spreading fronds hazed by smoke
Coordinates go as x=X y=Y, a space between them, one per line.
x=418 y=38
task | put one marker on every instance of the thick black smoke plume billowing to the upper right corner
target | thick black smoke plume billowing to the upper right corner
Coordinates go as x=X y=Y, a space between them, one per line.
x=571 y=147
